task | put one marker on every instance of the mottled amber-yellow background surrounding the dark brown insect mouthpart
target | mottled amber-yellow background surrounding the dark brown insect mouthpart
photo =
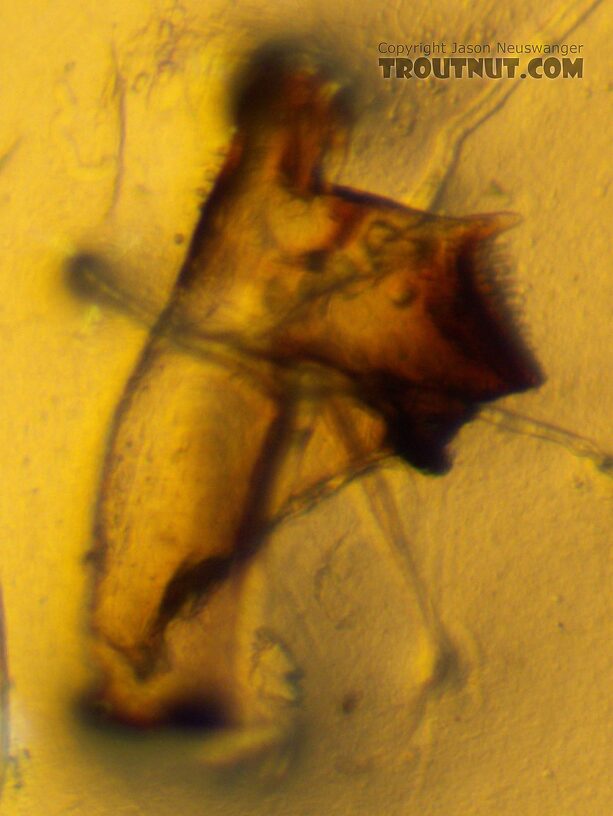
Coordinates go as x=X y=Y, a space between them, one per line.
x=112 y=117
